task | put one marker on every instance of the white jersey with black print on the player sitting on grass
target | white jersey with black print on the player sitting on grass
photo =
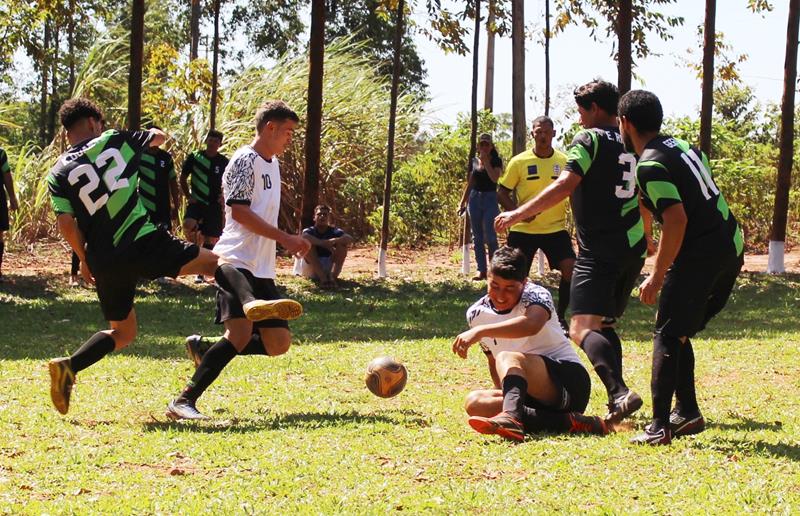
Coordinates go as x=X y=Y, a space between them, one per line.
x=550 y=341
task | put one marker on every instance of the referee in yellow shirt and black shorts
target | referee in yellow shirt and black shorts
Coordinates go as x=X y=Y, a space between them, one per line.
x=529 y=173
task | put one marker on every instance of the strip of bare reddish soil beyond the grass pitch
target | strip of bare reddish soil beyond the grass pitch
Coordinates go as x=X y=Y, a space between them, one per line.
x=53 y=259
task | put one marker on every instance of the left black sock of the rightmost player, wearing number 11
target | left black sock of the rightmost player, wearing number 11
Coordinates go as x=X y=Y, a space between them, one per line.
x=664 y=376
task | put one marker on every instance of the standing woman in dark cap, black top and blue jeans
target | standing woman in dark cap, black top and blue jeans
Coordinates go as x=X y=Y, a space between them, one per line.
x=480 y=198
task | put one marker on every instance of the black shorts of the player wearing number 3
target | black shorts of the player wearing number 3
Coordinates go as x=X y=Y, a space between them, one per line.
x=603 y=287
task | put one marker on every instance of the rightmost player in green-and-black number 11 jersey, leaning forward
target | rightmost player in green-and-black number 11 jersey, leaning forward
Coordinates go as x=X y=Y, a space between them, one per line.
x=699 y=258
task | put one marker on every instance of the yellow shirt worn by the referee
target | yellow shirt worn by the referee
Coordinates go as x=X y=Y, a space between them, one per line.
x=529 y=175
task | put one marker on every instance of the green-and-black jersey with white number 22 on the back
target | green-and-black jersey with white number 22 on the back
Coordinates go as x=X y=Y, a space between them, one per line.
x=96 y=182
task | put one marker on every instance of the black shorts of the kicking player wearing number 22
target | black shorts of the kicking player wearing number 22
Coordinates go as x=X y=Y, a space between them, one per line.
x=154 y=255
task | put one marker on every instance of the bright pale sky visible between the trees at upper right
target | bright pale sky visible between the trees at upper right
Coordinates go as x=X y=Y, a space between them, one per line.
x=575 y=58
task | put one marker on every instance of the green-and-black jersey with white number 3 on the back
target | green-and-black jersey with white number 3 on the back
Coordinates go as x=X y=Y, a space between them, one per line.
x=605 y=204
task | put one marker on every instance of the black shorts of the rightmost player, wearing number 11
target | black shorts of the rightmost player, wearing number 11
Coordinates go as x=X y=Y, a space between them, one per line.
x=694 y=291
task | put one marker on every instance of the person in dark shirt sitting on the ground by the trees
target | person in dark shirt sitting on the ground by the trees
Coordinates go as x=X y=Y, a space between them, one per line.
x=328 y=249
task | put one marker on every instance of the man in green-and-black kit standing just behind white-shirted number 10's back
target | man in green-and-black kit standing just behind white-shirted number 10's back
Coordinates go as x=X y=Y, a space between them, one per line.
x=202 y=221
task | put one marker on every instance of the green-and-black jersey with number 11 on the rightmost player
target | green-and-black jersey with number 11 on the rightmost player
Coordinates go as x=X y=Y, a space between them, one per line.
x=669 y=172
